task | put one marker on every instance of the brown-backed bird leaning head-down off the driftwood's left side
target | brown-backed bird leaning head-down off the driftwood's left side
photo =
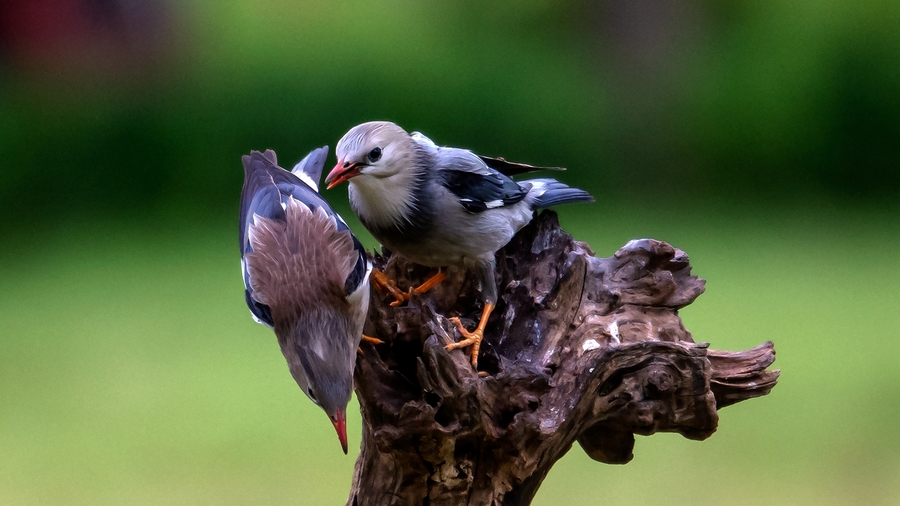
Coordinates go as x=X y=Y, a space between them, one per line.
x=305 y=275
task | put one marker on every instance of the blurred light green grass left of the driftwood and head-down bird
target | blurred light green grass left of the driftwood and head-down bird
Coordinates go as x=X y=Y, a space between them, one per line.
x=132 y=375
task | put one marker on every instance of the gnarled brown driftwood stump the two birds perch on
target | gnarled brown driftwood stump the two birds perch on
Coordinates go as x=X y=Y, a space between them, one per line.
x=579 y=348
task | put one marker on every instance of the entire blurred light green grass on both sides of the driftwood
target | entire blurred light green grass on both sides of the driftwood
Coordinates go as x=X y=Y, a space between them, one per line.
x=131 y=373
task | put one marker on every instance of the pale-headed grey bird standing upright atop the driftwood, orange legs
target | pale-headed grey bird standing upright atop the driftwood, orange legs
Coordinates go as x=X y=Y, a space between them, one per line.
x=440 y=206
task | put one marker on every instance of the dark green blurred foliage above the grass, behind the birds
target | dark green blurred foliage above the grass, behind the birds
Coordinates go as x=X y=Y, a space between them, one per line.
x=746 y=100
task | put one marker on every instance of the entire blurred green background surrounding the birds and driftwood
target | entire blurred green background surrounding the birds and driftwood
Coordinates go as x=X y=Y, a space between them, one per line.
x=763 y=138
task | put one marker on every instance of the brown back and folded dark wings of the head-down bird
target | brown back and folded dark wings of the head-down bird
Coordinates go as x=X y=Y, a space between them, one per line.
x=297 y=253
